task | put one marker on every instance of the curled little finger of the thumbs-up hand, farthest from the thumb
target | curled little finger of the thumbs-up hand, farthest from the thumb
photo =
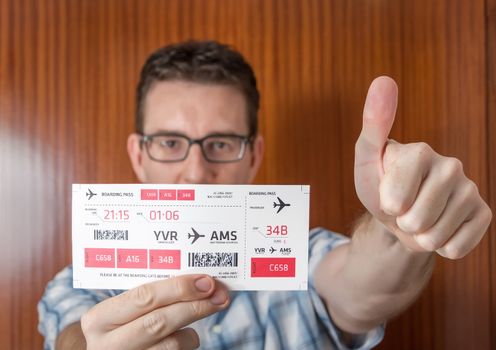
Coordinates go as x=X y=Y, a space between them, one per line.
x=468 y=235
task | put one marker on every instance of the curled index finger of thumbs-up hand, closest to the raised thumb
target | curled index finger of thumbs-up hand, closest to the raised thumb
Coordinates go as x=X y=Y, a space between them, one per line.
x=403 y=176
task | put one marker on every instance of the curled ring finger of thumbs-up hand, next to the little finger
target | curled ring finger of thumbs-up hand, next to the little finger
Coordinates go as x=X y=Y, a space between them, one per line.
x=460 y=208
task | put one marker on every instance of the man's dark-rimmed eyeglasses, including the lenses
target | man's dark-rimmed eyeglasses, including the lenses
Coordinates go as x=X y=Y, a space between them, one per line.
x=216 y=148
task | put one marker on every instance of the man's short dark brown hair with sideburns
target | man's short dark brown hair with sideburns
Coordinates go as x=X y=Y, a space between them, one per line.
x=201 y=62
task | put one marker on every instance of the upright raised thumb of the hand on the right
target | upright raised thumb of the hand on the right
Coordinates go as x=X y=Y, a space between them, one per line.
x=378 y=118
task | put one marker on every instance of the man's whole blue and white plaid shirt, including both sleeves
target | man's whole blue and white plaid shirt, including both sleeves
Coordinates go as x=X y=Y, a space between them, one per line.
x=254 y=320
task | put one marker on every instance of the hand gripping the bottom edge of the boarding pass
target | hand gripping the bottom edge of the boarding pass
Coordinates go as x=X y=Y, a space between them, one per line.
x=142 y=310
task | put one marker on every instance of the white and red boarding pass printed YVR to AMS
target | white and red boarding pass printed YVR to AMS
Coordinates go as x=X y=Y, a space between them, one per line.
x=252 y=237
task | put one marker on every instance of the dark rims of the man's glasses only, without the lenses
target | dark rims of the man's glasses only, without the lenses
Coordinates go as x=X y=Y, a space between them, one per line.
x=146 y=139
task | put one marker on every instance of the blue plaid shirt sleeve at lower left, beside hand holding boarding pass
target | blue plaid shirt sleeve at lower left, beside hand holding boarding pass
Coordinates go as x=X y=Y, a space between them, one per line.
x=62 y=305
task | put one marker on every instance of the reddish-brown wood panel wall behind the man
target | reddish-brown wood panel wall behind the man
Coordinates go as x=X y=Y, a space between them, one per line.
x=68 y=71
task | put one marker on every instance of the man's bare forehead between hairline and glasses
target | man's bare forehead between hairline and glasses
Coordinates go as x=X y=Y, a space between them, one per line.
x=195 y=109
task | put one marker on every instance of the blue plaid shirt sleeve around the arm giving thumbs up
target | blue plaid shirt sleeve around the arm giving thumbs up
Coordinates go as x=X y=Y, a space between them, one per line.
x=321 y=242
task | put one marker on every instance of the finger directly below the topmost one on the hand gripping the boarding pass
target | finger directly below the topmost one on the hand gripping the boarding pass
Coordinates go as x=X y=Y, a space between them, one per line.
x=158 y=324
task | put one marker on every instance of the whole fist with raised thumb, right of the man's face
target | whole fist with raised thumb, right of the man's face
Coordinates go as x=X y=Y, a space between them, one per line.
x=421 y=197
